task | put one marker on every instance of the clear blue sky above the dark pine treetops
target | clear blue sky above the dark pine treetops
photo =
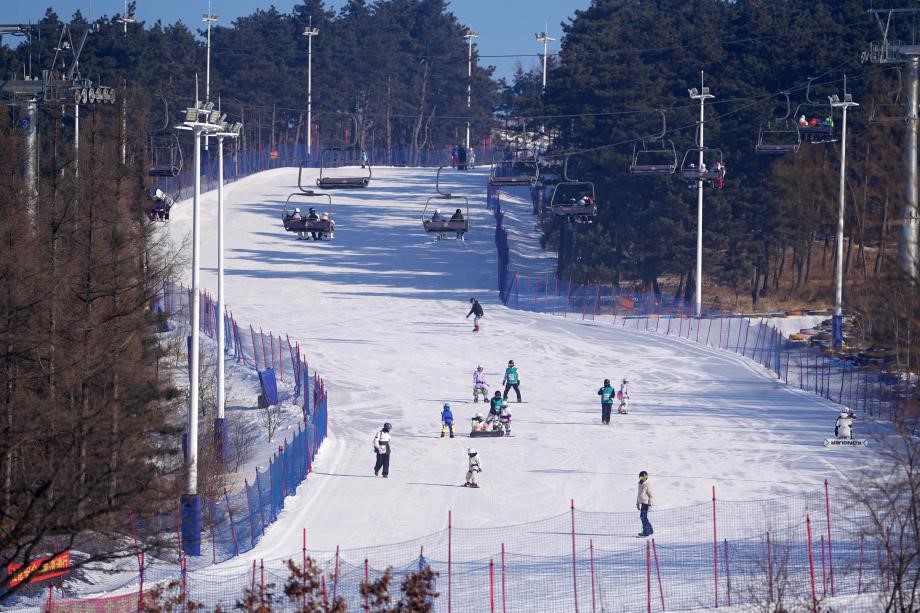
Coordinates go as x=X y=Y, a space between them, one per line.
x=506 y=27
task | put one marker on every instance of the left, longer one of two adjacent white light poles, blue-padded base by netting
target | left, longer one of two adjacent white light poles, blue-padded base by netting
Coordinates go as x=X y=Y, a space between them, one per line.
x=199 y=121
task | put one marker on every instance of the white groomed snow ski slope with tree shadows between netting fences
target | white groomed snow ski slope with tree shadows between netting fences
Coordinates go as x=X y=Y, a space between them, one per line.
x=380 y=313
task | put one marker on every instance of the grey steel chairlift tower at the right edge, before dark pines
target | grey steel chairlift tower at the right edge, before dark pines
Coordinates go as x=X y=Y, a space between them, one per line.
x=890 y=50
